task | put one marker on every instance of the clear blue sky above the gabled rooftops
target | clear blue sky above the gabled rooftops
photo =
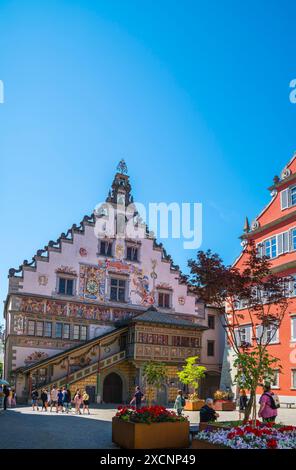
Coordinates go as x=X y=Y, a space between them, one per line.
x=193 y=94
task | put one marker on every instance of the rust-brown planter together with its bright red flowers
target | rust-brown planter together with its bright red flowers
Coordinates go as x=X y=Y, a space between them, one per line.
x=150 y=427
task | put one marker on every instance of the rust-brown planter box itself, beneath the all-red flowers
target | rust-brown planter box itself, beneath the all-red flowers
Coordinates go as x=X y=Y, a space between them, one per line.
x=166 y=435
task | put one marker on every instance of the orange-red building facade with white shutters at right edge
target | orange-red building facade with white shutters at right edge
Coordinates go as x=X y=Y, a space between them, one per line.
x=274 y=232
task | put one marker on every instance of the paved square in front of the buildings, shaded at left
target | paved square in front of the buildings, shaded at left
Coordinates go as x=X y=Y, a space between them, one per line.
x=22 y=428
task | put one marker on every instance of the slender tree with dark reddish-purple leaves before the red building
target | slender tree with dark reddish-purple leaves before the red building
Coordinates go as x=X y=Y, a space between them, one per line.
x=252 y=294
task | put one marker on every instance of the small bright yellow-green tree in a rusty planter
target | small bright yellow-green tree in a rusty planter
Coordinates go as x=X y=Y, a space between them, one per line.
x=190 y=375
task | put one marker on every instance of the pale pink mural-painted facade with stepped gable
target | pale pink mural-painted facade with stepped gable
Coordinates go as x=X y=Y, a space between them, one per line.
x=80 y=287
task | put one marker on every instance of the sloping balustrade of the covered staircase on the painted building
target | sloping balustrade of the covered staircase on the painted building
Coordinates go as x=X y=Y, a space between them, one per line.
x=85 y=371
